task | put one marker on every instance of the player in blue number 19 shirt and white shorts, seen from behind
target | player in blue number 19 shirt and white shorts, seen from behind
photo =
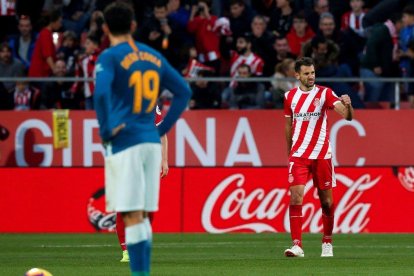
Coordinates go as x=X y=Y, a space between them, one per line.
x=128 y=79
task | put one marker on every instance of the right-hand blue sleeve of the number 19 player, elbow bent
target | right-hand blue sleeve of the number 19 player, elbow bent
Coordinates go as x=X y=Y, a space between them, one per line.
x=176 y=84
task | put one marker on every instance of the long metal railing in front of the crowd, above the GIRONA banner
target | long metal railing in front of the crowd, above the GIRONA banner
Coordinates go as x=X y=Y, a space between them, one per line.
x=397 y=81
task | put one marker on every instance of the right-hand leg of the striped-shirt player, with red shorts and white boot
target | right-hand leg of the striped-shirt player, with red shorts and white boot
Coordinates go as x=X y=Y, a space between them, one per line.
x=324 y=180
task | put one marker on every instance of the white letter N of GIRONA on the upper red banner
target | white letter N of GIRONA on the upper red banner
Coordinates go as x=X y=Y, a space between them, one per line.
x=184 y=133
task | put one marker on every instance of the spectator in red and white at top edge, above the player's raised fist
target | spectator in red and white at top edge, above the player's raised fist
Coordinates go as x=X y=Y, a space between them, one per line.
x=353 y=18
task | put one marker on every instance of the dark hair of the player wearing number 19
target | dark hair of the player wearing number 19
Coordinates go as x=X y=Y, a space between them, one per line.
x=118 y=17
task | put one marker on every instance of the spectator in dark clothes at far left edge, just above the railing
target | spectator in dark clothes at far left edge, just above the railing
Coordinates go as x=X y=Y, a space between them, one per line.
x=9 y=66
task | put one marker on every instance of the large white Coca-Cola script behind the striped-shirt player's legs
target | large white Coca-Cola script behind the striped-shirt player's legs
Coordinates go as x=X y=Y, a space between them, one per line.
x=351 y=216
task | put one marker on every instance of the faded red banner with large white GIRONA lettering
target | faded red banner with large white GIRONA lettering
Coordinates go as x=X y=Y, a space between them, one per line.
x=220 y=138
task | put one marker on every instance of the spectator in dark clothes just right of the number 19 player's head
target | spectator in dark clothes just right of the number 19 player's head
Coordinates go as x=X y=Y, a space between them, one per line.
x=160 y=33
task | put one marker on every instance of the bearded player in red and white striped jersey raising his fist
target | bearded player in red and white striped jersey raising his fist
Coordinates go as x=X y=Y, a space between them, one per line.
x=310 y=152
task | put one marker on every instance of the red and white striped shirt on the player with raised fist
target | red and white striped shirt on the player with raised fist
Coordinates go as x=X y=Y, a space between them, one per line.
x=310 y=137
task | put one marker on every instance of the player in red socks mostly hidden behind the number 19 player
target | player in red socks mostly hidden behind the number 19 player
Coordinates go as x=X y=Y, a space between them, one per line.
x=120 y=225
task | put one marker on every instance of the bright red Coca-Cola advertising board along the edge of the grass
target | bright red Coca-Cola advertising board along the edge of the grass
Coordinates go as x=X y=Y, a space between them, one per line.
x=213 y=200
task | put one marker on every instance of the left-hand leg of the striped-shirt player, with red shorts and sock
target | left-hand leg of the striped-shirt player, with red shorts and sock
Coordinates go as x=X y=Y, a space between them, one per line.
x=297 y=178
